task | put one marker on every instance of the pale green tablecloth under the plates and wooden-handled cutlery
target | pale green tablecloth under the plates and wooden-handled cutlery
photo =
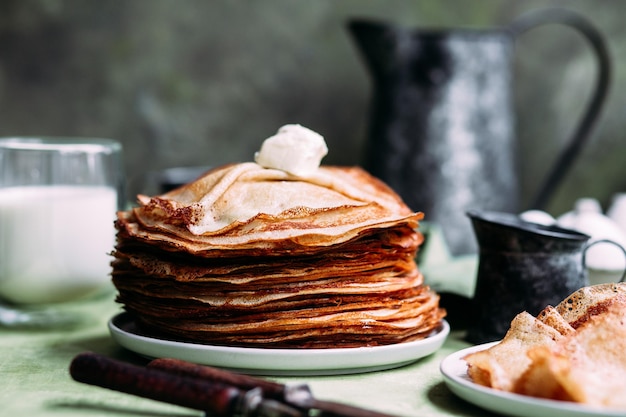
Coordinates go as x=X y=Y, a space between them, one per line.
x=35 y=380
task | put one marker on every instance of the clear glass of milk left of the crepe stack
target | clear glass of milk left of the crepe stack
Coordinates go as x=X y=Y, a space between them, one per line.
x=58 y=202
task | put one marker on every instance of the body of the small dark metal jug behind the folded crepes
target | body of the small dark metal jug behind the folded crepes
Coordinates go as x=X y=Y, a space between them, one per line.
x=522 y=267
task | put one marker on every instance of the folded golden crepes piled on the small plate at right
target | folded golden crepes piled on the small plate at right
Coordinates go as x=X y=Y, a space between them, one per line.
x=573 y=352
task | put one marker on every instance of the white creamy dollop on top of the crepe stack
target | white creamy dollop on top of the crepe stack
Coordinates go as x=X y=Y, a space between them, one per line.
x=294 y=149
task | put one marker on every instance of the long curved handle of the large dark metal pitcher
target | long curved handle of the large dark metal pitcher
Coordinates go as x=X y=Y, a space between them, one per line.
x=590 y=116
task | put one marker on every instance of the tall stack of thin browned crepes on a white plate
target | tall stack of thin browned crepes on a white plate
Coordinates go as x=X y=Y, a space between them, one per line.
x=257 y=257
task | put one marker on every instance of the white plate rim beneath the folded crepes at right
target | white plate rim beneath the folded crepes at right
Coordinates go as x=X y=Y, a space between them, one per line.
x=454 y=370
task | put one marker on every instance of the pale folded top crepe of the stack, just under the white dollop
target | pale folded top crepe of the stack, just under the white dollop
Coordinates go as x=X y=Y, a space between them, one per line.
x=245 y=206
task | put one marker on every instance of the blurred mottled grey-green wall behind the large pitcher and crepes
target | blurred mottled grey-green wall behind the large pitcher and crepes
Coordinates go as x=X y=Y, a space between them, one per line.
x=194 y=82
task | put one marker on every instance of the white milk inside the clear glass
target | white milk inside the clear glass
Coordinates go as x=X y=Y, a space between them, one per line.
x=55 y=241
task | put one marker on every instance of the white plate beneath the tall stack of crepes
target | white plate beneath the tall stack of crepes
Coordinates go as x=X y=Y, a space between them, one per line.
x=278 y=361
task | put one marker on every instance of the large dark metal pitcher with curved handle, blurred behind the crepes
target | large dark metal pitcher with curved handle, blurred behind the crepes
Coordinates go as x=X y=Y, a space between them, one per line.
x=442 y=125
